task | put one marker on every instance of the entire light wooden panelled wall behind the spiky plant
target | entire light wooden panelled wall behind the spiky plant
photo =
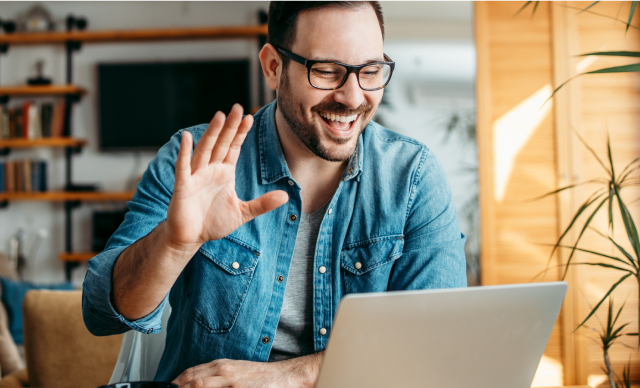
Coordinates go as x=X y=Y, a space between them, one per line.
x=518 y=56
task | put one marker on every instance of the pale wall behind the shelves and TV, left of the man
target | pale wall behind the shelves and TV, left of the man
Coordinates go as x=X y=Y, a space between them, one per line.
x=112 y=170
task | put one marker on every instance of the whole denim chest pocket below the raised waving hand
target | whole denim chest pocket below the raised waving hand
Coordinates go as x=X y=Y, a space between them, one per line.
x=221 y=274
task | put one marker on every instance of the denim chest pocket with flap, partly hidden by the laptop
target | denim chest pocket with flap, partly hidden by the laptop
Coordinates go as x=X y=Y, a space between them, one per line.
x=366 y=265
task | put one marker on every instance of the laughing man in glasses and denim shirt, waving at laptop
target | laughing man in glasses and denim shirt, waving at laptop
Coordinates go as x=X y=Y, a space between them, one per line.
x=256 y=233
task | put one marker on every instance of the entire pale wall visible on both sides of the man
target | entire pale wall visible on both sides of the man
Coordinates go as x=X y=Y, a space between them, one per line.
x=430 y=37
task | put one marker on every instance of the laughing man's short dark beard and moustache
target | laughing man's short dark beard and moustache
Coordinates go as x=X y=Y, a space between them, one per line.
x=309 y=132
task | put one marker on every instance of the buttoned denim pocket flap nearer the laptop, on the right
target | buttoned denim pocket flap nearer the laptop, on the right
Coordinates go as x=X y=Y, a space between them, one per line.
x=361 y=257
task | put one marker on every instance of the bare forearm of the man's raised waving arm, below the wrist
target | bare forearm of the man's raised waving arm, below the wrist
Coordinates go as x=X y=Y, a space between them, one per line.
x=144 y=273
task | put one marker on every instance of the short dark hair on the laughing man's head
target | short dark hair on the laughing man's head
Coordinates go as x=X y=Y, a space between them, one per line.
x=283 y=16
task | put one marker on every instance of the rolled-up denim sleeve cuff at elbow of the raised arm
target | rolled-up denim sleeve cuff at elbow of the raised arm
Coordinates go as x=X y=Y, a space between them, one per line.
x=100 y=317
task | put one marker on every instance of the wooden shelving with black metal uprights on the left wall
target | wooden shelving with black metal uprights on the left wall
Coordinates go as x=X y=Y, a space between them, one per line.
x=73 y=41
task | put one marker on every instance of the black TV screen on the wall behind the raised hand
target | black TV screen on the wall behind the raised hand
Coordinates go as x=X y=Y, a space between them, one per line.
x=143 y=104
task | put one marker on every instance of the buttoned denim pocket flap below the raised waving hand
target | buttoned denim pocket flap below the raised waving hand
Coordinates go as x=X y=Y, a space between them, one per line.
x=232 y=255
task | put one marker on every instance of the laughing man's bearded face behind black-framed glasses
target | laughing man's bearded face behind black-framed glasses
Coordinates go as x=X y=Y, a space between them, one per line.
x=350 y=36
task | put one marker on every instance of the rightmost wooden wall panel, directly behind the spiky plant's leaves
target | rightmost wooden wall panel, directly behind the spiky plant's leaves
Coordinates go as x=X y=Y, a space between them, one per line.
x=610 y=103
